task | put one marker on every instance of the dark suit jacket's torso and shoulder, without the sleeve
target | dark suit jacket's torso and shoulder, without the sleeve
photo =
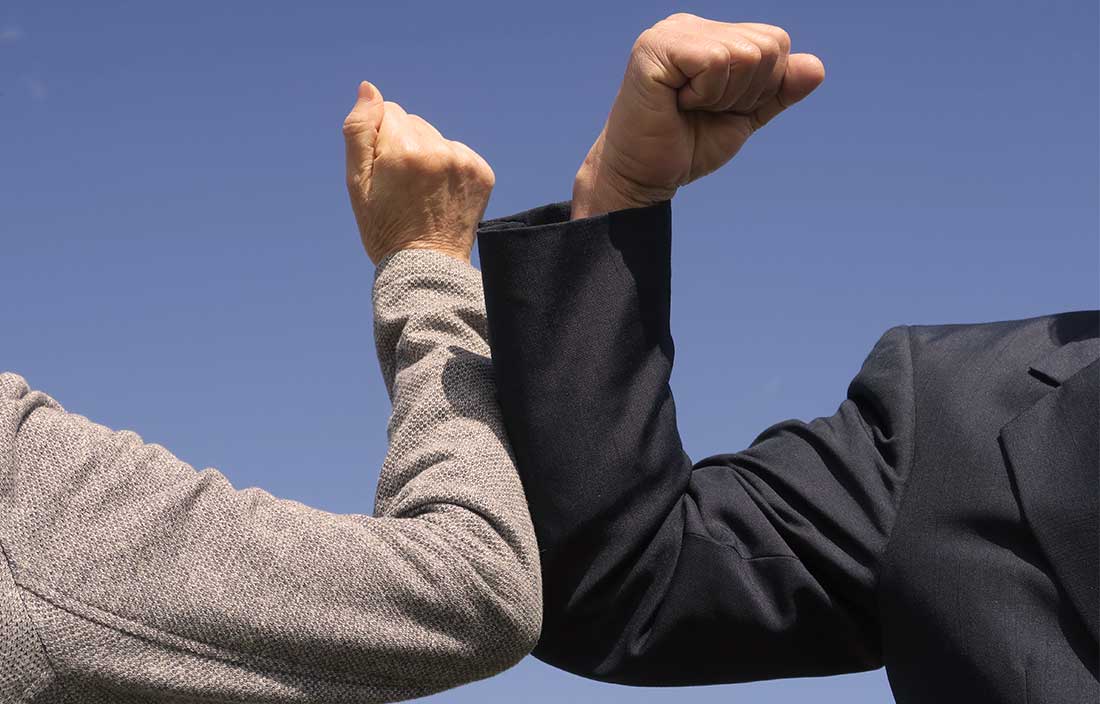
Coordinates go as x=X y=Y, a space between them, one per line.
x=995 y=548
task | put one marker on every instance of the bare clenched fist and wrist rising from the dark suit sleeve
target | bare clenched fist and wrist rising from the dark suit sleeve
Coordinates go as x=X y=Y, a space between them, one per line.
x=694 y=93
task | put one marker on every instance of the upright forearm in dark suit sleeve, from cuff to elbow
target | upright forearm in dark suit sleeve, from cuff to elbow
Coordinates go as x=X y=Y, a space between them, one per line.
x=579 y=315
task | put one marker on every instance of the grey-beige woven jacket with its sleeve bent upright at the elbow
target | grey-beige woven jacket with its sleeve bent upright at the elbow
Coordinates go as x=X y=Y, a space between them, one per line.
x=129 y=577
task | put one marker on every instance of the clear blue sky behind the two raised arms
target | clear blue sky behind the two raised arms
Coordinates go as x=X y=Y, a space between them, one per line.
x=178 y=256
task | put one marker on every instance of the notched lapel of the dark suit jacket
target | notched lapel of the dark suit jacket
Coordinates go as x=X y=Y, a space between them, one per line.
x=1052 y=452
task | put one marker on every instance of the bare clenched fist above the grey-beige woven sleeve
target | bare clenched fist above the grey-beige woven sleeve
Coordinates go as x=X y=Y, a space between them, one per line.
x=411 y=188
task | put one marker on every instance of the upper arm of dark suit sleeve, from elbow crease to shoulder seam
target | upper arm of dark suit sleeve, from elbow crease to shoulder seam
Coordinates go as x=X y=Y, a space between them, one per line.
x=766 y=567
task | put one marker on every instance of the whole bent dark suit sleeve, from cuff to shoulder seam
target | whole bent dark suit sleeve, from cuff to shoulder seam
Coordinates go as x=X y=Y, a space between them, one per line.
x=657 y=571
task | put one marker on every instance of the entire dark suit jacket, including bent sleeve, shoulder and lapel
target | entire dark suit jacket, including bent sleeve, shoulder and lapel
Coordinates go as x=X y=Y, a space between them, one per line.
x=942 y=523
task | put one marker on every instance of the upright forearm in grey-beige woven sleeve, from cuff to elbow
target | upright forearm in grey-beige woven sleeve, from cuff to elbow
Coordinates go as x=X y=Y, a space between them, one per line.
x=449 y=474
